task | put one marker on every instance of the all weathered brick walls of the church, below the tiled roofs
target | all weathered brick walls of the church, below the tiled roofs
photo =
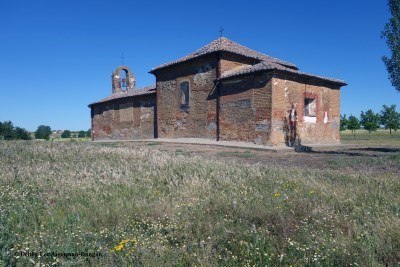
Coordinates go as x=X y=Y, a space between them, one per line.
x=252 y=109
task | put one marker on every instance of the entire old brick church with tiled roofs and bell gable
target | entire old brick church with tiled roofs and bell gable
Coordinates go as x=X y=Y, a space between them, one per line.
x=223 y=91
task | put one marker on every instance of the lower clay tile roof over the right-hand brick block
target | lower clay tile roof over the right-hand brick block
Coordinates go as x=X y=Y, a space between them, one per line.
x=266 y=65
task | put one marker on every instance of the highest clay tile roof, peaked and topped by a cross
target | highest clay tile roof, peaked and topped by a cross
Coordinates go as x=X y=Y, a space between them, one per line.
x=225 y=45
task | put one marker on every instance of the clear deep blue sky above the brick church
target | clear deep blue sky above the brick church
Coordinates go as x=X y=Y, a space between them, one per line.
x=56 y=57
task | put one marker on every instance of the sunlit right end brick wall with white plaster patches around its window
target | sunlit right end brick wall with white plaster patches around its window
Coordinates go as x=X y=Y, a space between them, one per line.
x=289 y=89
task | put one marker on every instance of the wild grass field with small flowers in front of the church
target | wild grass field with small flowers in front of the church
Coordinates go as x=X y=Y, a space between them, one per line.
x=115 y=204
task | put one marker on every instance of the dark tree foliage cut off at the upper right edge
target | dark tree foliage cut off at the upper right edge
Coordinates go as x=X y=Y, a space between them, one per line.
x=391 y=33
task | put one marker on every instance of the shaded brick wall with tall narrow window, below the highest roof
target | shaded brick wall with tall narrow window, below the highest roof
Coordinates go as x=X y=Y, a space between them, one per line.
x=199 y=120
